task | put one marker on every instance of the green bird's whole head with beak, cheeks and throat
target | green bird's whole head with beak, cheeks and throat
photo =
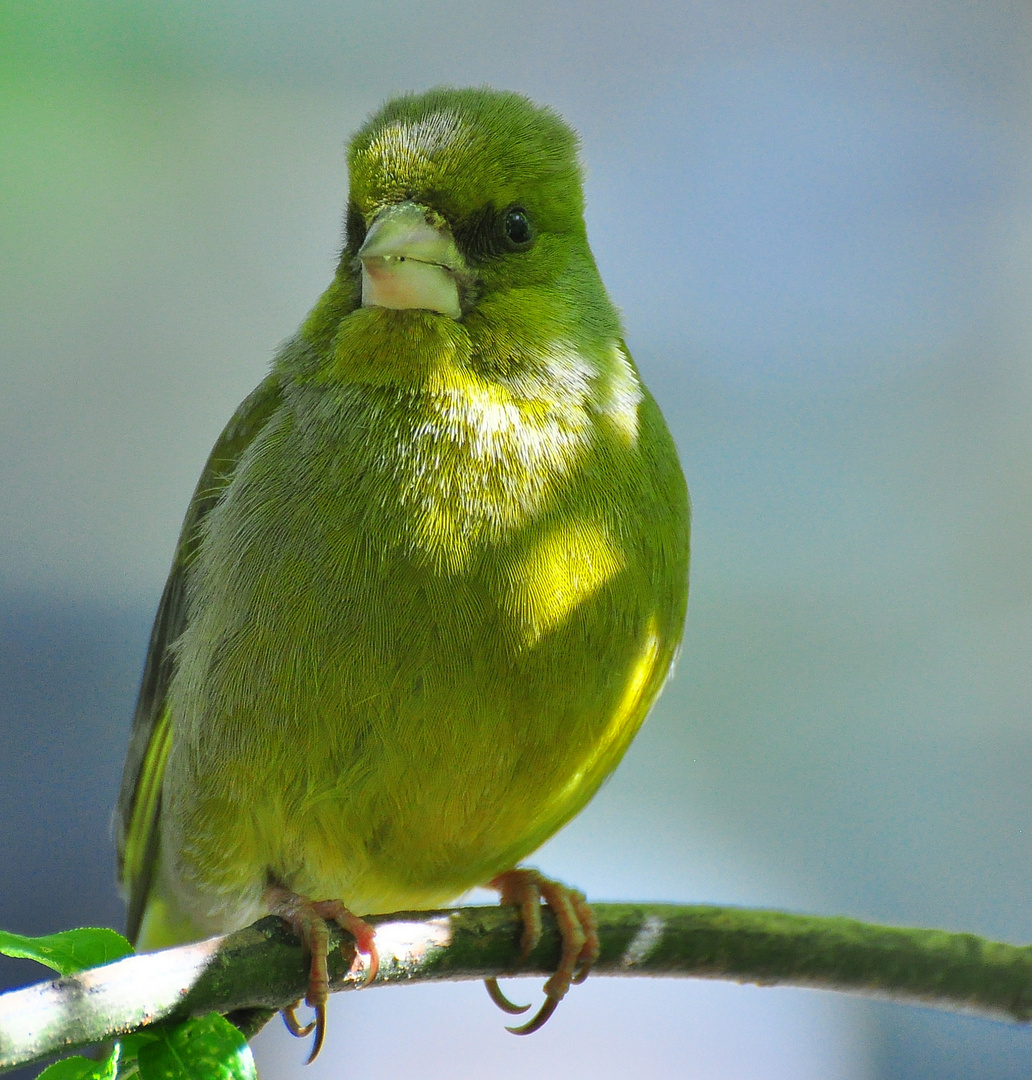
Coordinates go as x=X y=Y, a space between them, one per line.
x=466 y=222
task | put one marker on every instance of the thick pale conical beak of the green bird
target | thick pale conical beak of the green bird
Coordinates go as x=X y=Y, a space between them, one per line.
x=410 y=263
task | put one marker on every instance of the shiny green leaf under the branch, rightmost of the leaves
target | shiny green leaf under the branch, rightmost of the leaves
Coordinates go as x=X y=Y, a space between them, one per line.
x=209 y=1047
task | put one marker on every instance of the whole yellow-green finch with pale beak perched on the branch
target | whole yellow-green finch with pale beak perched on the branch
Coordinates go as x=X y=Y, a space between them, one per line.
x=434 y=573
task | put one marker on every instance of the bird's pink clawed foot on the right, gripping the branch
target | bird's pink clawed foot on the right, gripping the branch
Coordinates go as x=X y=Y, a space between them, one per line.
x=526 y=889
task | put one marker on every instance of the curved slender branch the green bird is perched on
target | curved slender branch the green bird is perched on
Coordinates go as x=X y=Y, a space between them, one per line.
x=259 y=970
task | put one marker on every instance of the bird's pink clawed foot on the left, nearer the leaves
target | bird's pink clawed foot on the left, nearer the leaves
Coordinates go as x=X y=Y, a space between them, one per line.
x=309 y=920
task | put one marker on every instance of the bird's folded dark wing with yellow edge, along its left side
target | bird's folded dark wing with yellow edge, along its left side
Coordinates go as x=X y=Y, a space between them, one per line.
x=139 y=809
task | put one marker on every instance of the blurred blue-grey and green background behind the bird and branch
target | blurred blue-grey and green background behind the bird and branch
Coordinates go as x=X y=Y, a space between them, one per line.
x=816 y=219
